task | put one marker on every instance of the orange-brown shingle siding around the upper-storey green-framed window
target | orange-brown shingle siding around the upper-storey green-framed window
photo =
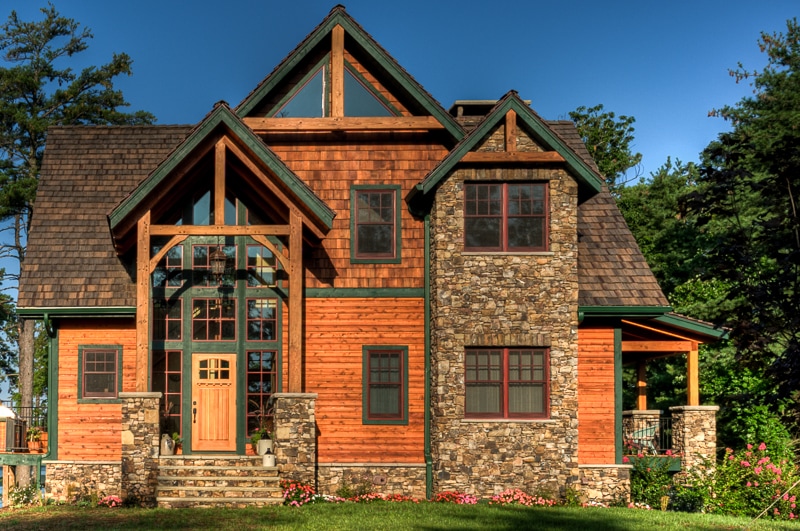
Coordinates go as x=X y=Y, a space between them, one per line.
x=330 y=169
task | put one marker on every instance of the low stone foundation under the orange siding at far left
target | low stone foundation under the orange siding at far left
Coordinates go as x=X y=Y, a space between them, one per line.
x=69 y=481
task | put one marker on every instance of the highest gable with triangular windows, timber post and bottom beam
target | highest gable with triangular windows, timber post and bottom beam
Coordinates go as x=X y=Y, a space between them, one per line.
x=340 y=79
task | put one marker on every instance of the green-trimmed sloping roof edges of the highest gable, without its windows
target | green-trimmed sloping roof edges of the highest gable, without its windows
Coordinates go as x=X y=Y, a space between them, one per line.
x=419 y=102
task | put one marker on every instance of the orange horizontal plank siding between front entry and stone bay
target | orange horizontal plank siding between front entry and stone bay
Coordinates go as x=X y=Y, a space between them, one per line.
x=336 y=331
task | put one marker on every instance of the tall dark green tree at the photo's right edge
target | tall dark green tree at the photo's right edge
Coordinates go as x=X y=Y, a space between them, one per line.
x=746 y=203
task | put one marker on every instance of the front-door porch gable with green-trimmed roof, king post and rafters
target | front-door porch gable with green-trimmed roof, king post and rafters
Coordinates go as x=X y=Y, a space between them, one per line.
x=257 y=169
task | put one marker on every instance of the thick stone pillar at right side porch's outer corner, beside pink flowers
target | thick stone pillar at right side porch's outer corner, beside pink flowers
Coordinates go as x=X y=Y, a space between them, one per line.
x=694 y=434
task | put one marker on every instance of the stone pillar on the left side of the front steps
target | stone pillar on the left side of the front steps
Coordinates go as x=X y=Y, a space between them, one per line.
x=140 y=442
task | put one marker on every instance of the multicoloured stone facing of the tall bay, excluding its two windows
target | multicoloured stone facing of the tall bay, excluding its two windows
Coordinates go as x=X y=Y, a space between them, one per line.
x=504 y=300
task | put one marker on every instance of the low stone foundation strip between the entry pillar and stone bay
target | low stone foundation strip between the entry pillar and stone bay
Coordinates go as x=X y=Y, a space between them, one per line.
x=384 y=478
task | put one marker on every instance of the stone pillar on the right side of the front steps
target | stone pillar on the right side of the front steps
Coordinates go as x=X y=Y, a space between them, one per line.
x=296 y=436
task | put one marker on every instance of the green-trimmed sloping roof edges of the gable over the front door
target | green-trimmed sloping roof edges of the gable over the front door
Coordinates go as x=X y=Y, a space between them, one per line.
x=221 y=120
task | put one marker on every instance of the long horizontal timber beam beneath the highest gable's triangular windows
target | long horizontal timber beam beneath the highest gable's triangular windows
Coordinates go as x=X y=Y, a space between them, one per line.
x=342 y=123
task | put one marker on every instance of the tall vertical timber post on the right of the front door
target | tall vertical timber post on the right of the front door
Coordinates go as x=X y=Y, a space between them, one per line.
x=296 y=303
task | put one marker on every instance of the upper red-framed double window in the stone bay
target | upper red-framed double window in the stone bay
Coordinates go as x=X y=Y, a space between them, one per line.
x=505 y=217
